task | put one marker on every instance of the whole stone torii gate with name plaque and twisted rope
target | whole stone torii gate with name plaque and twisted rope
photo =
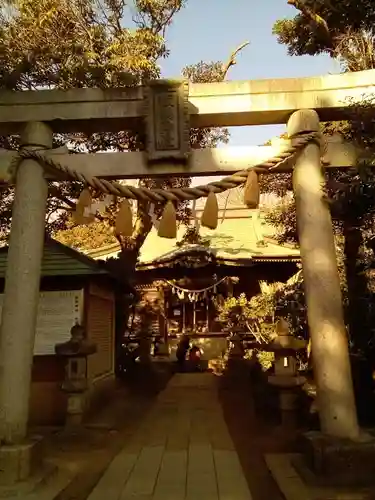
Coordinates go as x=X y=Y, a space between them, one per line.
x=169 y=110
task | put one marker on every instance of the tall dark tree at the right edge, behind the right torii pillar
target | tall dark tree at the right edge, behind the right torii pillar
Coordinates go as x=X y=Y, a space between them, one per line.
x=344 y=30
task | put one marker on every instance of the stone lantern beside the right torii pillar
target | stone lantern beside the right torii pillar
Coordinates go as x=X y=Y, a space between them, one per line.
x=285 y=376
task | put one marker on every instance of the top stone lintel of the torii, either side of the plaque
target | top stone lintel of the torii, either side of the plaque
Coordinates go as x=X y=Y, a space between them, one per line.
x=230 y=103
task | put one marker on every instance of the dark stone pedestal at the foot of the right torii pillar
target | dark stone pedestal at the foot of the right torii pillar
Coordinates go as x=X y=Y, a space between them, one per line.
x=339 y=462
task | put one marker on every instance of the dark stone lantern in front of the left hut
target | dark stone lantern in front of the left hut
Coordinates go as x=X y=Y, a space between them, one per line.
x=75 y=353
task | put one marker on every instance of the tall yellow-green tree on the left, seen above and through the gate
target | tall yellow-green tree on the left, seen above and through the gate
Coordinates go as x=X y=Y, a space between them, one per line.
x=87 y=43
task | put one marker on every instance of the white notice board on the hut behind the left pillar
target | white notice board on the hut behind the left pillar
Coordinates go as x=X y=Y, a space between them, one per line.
x=57 y=313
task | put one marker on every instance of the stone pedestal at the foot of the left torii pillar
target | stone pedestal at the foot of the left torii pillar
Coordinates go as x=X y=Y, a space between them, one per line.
x=20 y=461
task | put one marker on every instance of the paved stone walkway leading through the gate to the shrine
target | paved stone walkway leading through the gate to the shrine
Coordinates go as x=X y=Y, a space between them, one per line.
x=181 y=451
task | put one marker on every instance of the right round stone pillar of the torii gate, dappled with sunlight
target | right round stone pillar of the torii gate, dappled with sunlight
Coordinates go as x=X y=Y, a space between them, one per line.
x=329 y=341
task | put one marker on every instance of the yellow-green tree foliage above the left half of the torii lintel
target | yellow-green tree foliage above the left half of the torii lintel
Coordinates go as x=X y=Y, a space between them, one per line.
x=80 y=43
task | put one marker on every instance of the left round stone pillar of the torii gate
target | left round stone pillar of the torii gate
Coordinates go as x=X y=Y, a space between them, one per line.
x=22 y=281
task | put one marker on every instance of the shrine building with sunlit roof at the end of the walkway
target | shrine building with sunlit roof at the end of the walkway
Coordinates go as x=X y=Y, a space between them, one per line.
x=185 y=278
